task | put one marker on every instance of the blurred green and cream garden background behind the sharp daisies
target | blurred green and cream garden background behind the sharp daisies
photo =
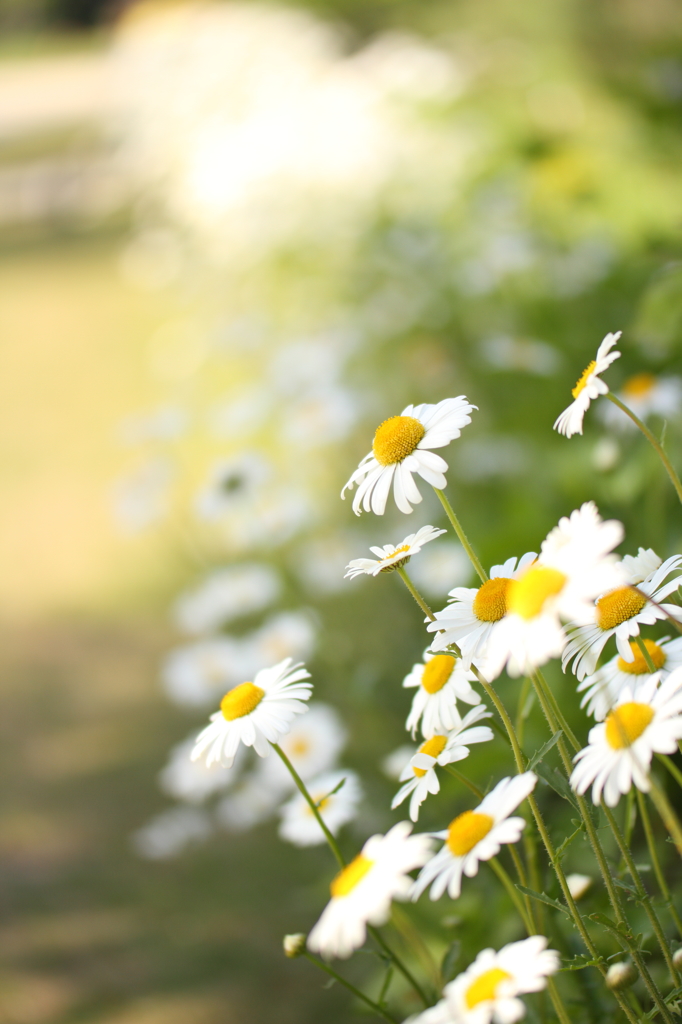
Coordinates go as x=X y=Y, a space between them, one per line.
x=234 y=238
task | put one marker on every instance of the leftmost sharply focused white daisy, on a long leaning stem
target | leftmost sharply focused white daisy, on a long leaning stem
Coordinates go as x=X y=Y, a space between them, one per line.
x=255 y=714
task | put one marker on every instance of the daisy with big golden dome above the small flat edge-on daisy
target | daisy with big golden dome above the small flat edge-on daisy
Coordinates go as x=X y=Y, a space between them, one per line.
x=402 y=447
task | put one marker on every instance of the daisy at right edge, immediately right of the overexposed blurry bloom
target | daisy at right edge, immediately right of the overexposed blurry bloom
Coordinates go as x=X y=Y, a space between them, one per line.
x=619 y=614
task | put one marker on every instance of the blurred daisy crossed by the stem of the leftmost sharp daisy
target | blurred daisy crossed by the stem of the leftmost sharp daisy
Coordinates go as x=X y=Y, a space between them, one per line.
x=300 y=825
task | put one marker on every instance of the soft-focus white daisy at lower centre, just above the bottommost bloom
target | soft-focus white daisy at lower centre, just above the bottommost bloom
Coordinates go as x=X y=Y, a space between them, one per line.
x=363 y=892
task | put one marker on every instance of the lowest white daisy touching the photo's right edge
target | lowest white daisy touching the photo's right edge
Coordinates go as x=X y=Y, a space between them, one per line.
x=646 y=720
